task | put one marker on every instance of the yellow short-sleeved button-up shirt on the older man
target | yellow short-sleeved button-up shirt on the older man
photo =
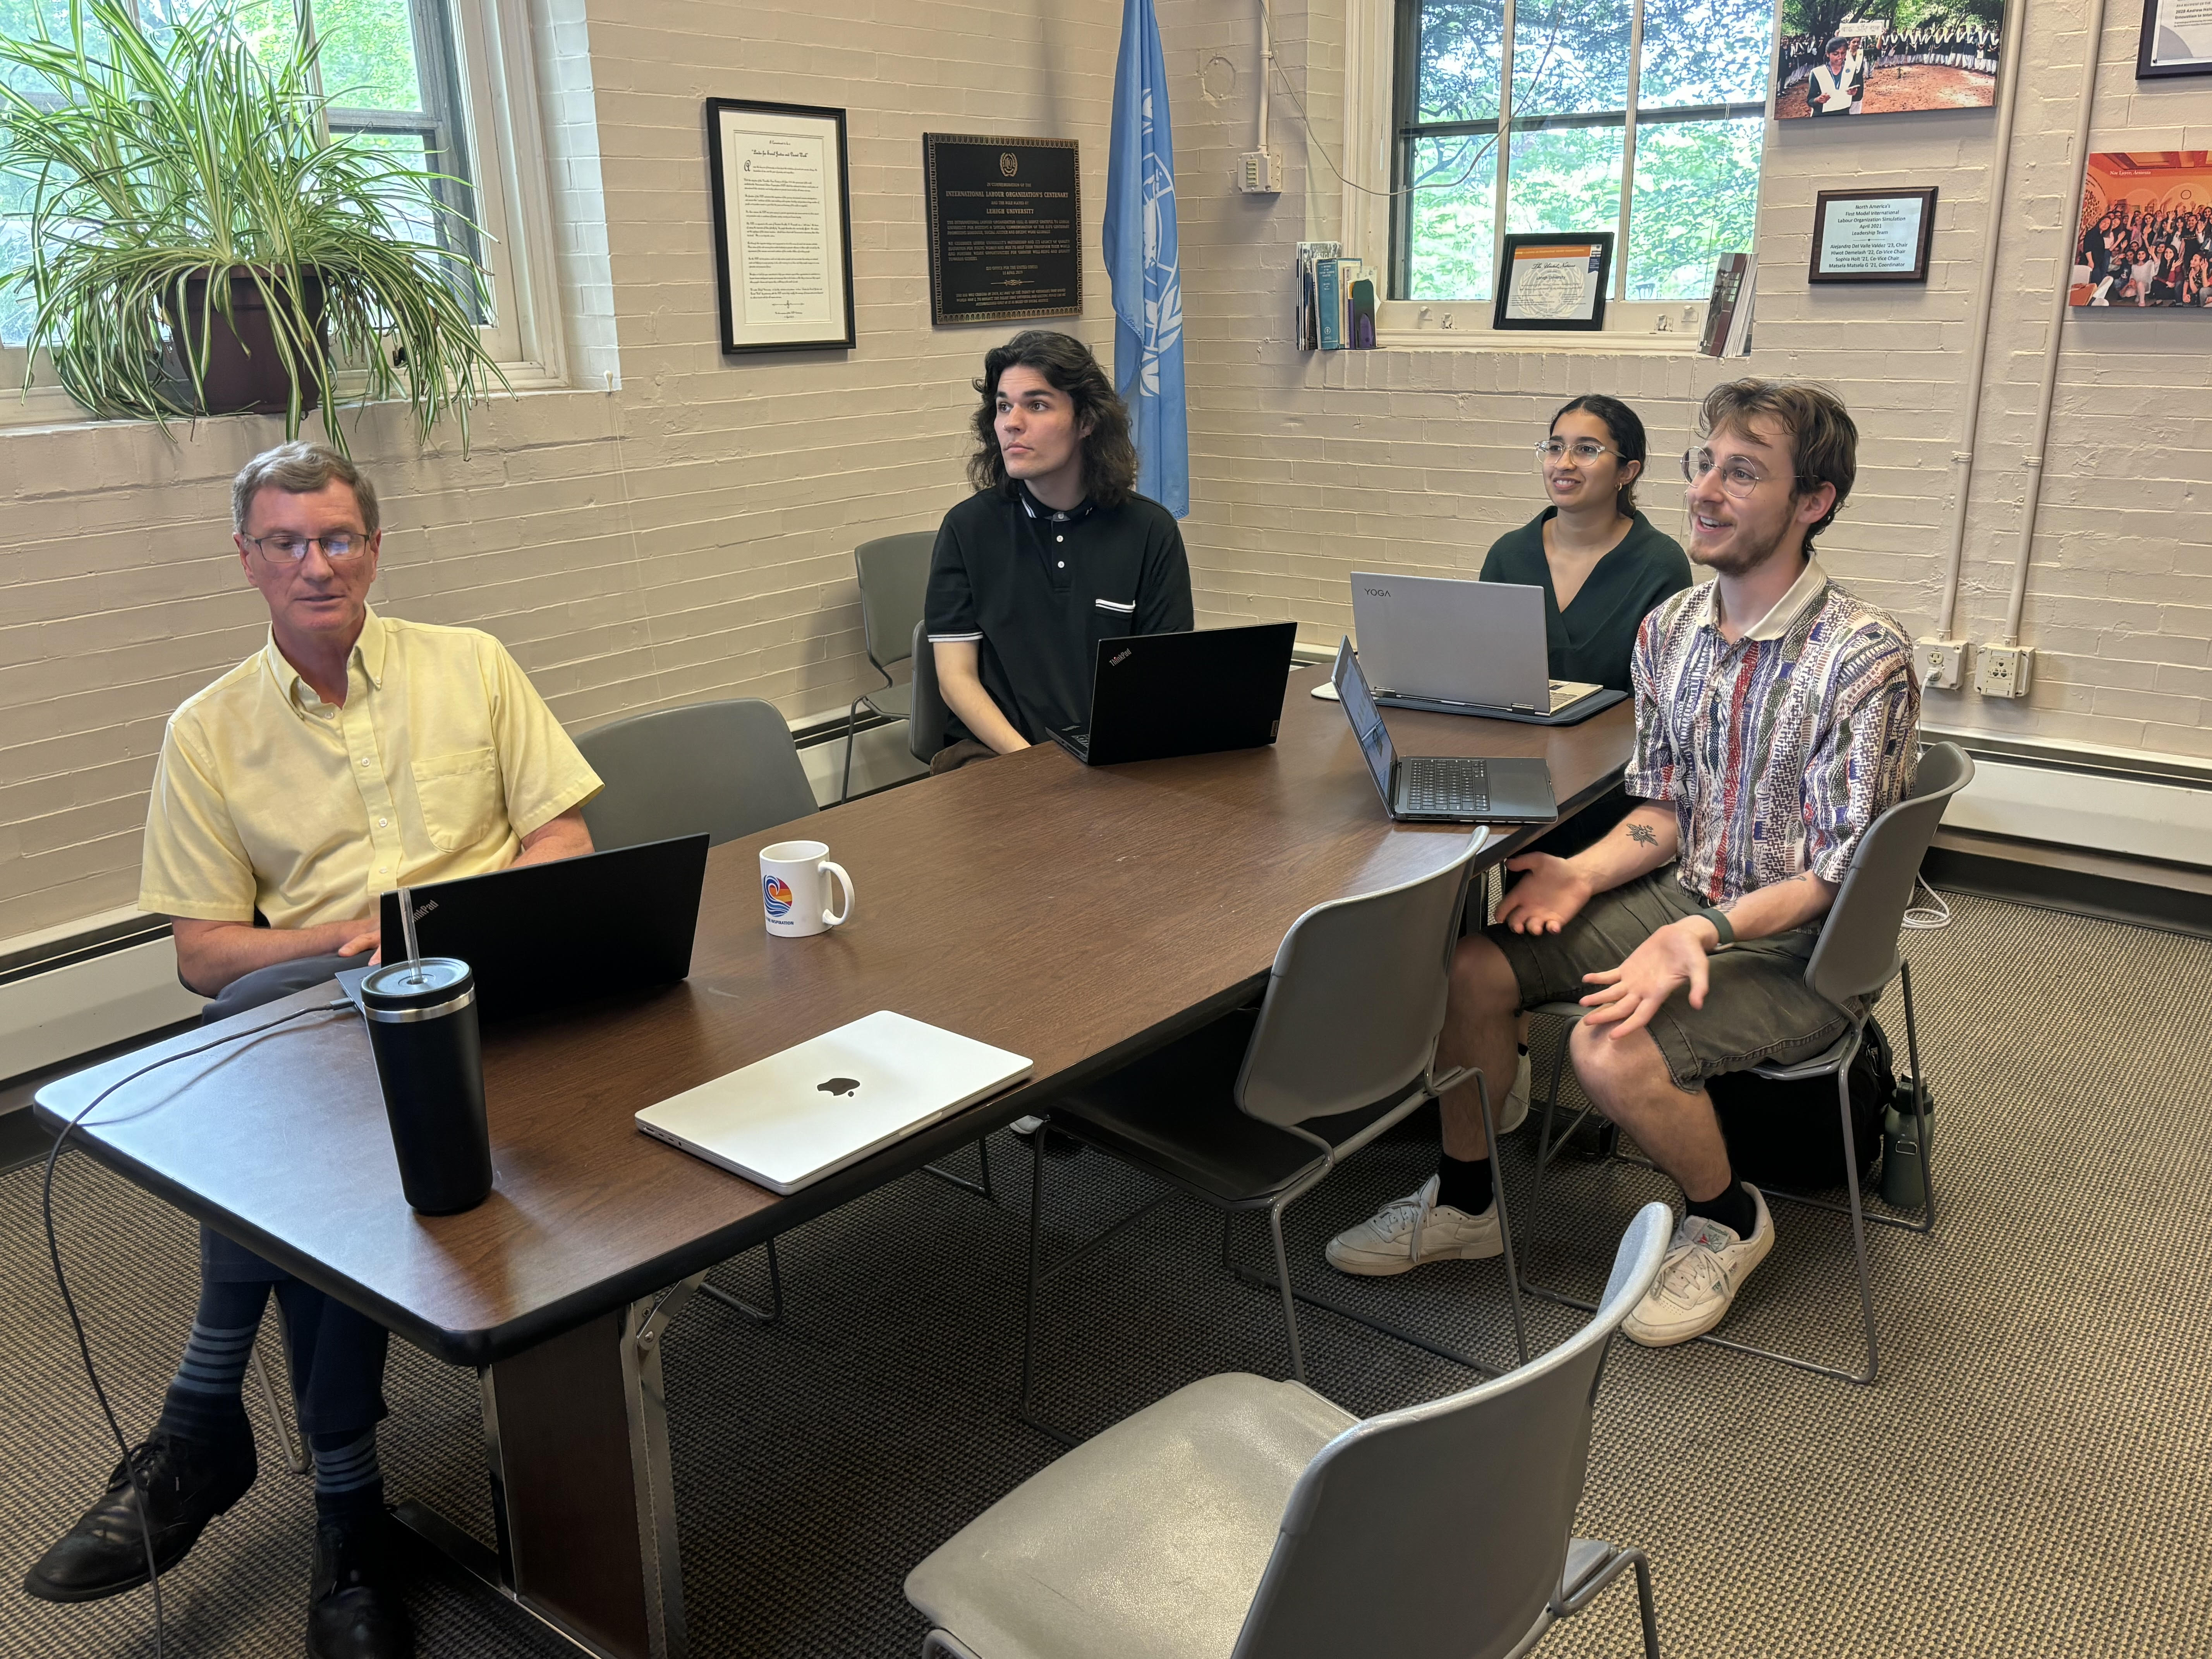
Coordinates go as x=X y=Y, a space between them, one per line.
x=439 y=762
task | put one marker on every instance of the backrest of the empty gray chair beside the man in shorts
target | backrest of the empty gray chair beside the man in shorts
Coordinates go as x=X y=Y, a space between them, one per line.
x=1357 y=999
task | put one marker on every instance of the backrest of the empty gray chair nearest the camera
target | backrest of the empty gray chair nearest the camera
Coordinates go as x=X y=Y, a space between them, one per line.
x=1441 y=1532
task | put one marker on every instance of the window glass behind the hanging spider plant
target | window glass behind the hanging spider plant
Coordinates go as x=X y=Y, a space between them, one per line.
x=388 y=65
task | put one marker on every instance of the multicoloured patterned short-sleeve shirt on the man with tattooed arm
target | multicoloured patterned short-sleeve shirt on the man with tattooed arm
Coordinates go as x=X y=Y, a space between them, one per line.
x=1777 y=751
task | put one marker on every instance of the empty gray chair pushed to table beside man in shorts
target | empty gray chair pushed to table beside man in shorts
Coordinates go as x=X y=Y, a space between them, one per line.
x=1346 y=1034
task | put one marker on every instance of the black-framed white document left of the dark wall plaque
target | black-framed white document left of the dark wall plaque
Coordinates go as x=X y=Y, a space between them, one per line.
x=782 y=225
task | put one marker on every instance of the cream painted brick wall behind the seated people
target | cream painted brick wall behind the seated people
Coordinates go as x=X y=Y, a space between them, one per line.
x=691 y=536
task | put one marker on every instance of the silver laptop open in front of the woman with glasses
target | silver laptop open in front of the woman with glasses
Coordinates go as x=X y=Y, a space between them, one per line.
x=1461 y=647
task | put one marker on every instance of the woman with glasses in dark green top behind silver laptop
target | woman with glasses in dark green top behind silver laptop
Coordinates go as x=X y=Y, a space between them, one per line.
x=1600 y=563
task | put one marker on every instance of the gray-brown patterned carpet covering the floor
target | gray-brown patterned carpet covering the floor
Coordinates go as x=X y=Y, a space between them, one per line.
x=2030 y=1477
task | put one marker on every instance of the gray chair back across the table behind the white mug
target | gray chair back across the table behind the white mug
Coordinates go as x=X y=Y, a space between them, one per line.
x=727 y=769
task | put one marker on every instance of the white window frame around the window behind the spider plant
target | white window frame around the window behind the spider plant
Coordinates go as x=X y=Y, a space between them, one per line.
x=488 y=101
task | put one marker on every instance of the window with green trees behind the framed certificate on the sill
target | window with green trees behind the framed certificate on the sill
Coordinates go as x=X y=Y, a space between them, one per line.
x=1634 y=116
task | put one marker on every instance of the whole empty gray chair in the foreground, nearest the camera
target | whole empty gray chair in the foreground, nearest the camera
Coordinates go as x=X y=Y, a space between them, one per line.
x=1244 y=1519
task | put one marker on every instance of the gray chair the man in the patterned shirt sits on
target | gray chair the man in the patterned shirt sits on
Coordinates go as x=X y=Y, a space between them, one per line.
x=1857 y=957
